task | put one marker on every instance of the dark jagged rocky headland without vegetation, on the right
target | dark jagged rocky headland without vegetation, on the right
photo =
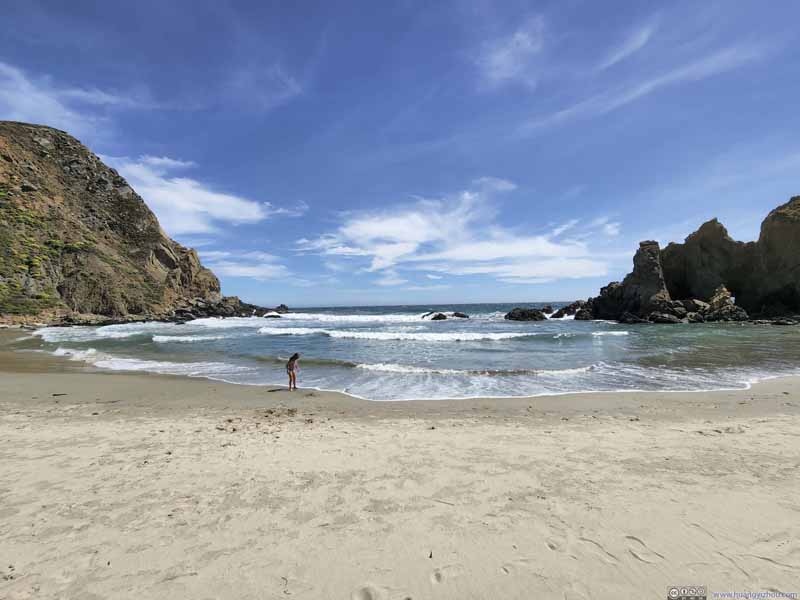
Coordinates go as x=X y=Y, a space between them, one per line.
x=710 y=277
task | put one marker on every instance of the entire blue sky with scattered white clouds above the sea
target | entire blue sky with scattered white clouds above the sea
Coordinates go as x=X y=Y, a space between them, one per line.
x=339 y=153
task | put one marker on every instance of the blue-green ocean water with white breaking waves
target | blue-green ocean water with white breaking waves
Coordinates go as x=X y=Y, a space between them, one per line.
x=393 y=353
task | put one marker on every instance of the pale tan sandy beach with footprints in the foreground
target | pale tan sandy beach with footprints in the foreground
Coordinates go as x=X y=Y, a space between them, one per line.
x=138 y=486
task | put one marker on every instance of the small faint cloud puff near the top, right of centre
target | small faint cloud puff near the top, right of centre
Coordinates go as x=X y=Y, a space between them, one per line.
x=509 y=59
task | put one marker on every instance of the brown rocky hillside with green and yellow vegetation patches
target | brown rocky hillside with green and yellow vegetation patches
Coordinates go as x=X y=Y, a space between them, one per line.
x=75 y=238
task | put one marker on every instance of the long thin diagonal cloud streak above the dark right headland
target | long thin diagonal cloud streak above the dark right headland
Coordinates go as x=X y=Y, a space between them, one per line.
x=716 y=63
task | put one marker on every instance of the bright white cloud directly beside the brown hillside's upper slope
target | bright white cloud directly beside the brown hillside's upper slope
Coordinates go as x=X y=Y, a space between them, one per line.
x=187 y=206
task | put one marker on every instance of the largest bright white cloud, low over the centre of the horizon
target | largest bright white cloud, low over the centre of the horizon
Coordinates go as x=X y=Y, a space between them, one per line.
x=457 y=235
